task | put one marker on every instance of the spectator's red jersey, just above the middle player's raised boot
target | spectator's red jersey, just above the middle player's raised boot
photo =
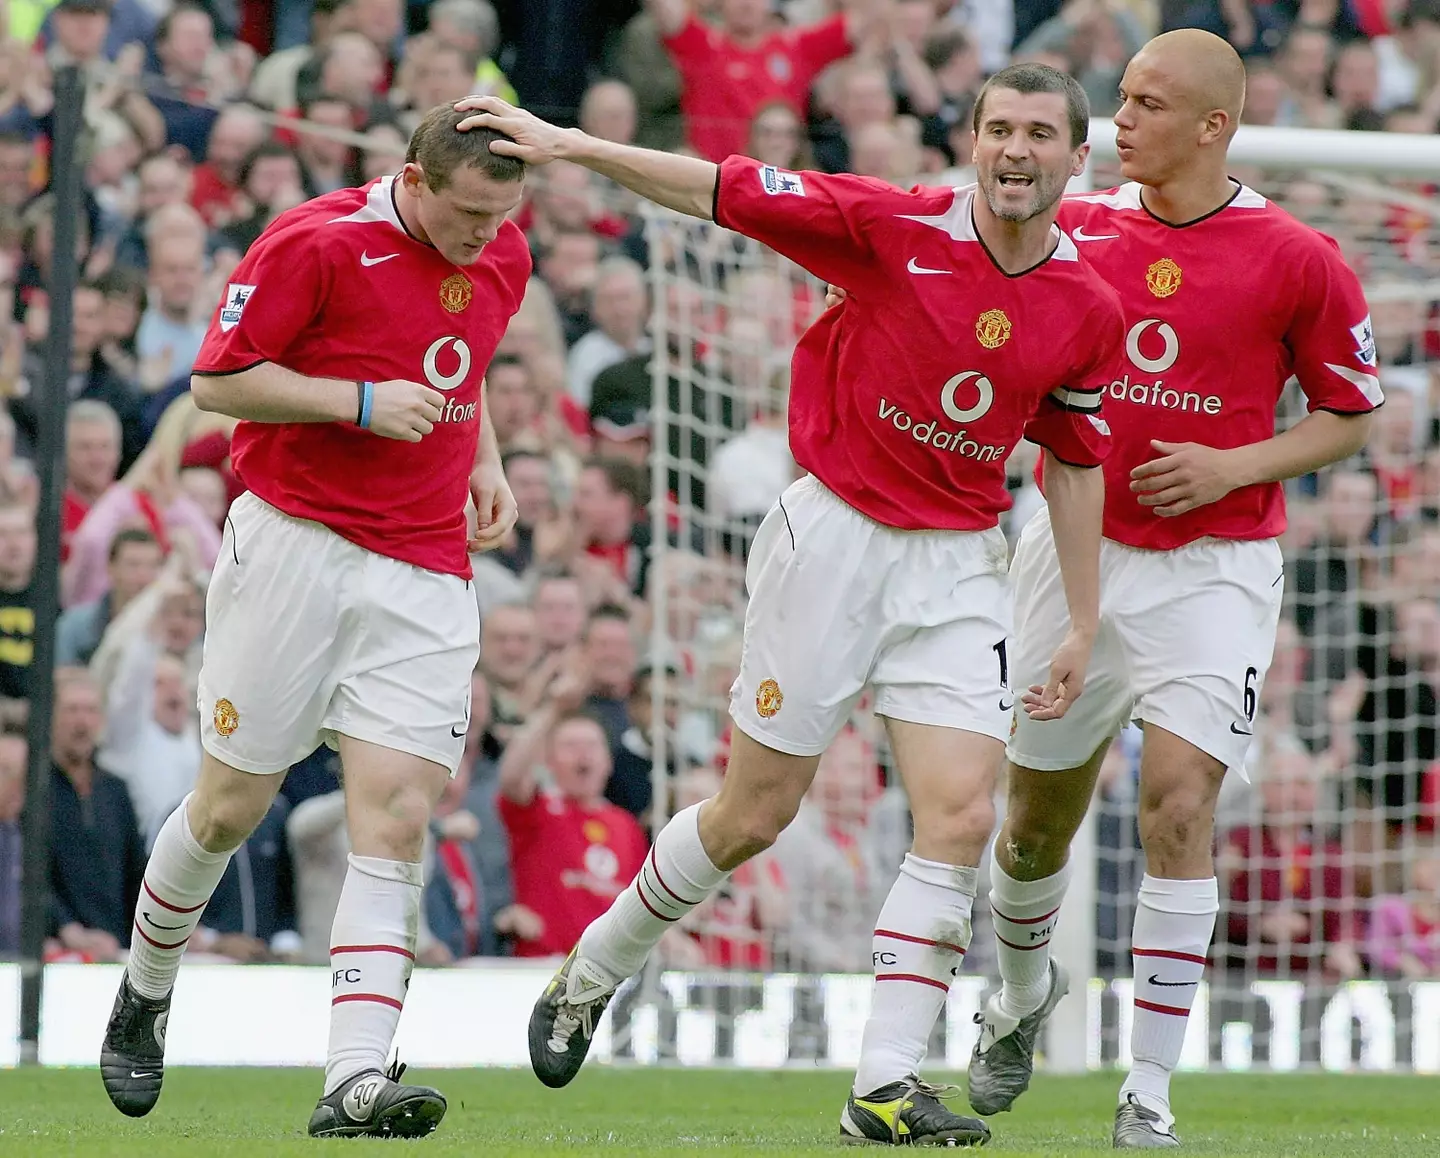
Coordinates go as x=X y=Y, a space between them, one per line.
x=570 y=865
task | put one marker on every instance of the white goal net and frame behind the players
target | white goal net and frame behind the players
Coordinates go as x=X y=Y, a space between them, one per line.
x=1327 y=950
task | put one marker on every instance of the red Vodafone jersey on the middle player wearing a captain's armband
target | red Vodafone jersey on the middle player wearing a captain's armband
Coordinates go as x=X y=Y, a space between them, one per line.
x=908 y=401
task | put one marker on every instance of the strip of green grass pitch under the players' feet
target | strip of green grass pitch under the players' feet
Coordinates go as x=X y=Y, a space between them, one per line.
x=642 y=1113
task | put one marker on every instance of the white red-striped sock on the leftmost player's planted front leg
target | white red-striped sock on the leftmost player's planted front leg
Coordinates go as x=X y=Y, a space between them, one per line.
x=372 y=953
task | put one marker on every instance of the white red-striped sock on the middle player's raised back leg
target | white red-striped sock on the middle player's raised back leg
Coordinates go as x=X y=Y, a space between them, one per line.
x=676 y=878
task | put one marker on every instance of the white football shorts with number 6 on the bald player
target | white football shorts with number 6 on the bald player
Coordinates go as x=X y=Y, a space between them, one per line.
x=1184 y=645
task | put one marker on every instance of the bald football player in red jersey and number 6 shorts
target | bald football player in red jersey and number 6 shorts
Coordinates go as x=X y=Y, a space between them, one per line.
x=1225 y=299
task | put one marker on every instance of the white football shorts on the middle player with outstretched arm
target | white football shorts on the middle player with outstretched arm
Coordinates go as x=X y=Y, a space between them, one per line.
x=840 y=603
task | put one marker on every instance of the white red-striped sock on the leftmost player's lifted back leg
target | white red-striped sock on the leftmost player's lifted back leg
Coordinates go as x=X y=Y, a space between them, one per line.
x=179 y=881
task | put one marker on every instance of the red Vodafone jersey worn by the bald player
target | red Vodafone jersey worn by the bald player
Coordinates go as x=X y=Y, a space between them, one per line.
x=1219 y=315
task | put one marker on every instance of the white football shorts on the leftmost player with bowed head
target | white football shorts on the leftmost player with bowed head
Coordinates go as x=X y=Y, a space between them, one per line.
x=310 y=636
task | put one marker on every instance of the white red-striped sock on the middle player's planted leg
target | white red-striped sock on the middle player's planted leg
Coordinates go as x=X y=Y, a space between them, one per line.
x=921 y=941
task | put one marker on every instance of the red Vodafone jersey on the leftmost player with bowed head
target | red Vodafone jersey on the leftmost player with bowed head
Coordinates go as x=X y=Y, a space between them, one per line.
x=339 y=289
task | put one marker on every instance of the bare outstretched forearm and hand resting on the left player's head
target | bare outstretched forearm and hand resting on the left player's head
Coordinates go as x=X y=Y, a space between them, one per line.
x=686 y=185
